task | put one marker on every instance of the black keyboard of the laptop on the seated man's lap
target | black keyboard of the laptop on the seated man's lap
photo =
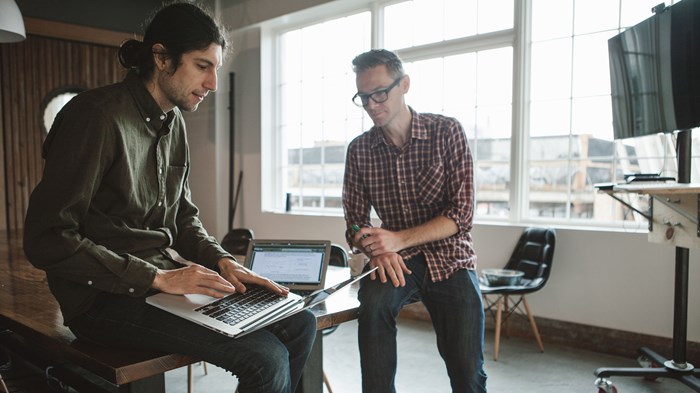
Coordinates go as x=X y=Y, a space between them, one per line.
x=237 y=307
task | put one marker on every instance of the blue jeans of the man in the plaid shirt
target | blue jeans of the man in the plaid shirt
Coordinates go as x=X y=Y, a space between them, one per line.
x=458 y=318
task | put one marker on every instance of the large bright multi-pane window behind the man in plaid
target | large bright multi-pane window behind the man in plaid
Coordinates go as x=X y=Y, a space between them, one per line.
x=533 y=97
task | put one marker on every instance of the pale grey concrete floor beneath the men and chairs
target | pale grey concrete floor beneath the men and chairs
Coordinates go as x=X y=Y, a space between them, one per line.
x=520 y=368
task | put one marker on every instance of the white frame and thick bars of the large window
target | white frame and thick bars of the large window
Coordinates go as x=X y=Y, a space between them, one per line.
x=519 y=38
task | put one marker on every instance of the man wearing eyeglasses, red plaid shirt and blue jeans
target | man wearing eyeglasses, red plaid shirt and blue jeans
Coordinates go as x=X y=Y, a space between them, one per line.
x=415 y=170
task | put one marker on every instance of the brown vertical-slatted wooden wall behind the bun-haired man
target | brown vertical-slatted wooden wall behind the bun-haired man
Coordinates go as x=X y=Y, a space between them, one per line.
x=29 y=71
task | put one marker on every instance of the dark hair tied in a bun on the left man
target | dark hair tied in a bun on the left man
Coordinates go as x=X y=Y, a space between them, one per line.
x=180 y=27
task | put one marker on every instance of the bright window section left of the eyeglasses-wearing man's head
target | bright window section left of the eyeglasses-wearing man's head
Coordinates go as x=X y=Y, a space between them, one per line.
x=316 y=116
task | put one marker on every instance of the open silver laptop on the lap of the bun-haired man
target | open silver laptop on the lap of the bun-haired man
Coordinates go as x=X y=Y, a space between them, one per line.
x=238 y=314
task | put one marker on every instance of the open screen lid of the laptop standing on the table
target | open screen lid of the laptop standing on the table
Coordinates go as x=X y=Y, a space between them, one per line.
x=296 y=264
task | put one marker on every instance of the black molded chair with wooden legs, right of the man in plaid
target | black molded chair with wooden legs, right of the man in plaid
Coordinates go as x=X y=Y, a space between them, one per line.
x=533 y=255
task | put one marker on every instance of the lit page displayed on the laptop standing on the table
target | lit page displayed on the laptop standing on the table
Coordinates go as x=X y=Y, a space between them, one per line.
x=289 y=263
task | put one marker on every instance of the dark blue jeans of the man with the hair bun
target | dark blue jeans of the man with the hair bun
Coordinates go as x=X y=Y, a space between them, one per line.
x=268 y=360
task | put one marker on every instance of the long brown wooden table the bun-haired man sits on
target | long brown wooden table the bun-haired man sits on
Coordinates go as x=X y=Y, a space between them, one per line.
x=28 y=309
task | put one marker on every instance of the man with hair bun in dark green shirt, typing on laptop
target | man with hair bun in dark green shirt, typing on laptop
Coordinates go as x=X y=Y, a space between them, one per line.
x=112 y=219
